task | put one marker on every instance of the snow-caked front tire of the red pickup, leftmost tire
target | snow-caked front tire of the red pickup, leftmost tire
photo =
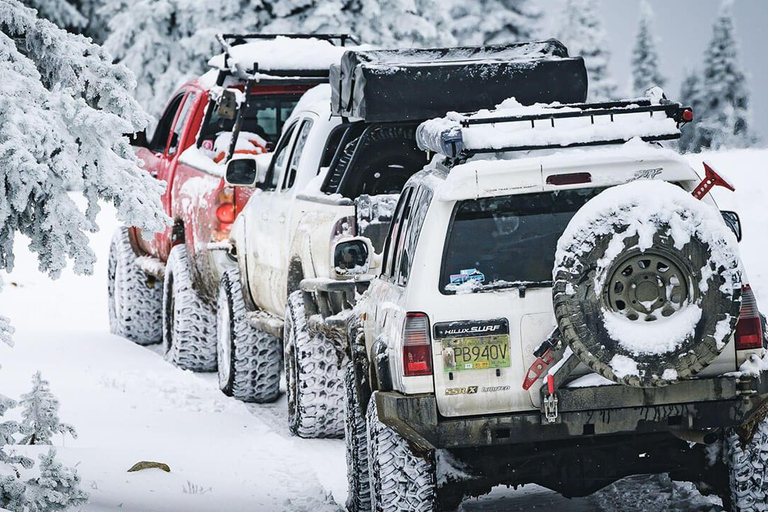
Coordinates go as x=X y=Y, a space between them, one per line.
x=135 y=299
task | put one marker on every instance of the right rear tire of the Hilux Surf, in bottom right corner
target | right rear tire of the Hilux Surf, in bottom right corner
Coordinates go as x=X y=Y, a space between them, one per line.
x=748 y=470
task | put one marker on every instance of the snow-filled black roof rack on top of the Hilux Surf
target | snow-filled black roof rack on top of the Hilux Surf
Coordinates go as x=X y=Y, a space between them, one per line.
x=514 y=127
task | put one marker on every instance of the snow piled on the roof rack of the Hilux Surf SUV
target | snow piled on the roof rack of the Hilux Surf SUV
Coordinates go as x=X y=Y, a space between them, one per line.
x=543 y=132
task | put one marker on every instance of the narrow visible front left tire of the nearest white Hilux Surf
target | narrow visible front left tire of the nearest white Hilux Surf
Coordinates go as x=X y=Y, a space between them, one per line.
x=359 y=494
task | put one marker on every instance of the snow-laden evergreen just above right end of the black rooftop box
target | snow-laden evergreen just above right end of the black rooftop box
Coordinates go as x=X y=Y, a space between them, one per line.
x=579 y=26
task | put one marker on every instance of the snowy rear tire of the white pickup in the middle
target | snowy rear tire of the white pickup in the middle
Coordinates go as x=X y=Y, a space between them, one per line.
x=314 y=377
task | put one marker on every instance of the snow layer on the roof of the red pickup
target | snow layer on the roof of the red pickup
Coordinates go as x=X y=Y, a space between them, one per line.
x=282 y=53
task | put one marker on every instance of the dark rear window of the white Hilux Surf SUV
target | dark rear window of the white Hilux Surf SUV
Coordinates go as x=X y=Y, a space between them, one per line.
x=501 y=242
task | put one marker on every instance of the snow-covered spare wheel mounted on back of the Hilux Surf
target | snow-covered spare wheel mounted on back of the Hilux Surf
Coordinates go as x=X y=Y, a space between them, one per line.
x=647 y=288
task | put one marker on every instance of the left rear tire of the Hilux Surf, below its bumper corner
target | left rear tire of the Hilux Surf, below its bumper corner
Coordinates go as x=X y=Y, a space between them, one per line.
x=400 y=479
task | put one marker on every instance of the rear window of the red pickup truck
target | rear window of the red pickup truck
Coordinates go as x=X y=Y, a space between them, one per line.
x=264 y=117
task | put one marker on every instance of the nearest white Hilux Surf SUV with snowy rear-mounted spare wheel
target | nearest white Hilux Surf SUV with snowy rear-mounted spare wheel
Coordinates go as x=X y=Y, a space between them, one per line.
x=554 y=314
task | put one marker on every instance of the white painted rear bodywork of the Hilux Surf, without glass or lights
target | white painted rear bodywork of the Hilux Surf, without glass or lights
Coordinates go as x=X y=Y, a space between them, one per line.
x=531 y=318
